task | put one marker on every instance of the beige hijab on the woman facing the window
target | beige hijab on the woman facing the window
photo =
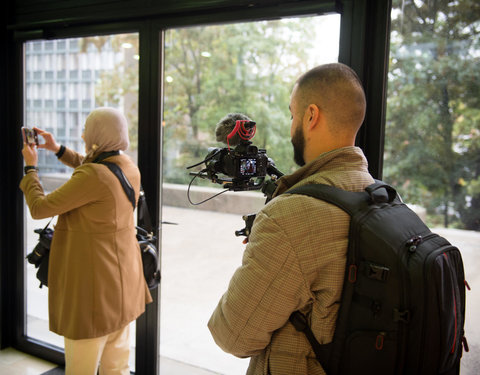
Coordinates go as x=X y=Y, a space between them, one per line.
x=106 y=129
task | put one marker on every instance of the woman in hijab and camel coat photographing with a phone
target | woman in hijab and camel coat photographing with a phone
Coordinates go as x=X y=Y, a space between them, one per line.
x=95 y=283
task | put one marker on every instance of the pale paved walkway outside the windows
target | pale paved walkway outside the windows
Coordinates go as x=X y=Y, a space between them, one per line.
x=199 y=255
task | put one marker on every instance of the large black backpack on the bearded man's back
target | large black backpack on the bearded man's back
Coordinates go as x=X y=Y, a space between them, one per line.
x=402 y=308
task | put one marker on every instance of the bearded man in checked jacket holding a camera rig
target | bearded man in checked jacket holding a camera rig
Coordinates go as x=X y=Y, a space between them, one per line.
x=296 y=254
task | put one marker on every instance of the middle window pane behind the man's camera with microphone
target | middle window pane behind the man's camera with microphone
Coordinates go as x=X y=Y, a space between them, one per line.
x=211 y=71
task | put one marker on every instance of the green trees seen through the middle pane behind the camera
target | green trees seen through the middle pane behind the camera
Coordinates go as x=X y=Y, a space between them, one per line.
x=214 y=70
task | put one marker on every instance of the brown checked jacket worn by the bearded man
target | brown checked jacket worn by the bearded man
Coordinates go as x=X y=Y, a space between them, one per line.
x=295 y=260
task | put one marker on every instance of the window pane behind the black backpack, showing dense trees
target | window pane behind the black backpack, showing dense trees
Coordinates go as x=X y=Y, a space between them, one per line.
x=432 y=145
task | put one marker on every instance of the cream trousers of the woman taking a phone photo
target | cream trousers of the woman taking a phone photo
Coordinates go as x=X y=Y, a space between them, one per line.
x=107 y=354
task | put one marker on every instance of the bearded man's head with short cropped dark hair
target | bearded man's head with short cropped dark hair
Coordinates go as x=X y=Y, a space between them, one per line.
x=328 y=107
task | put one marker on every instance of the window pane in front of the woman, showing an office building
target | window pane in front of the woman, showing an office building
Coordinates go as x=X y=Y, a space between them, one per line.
x=65 y=81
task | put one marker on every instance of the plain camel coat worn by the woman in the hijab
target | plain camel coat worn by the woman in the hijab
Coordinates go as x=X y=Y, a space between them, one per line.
x=95 y=283
